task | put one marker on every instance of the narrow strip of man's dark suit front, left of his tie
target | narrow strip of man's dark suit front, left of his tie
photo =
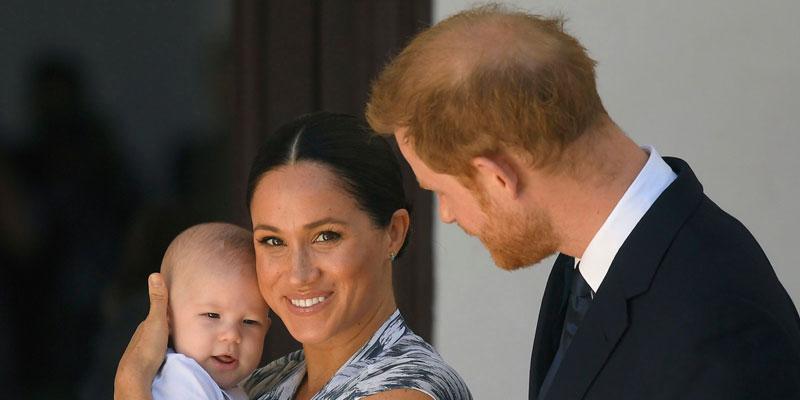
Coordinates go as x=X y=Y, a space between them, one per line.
x=551 y=319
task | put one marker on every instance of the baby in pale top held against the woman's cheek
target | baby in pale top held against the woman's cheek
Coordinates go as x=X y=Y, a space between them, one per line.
x=217 y=317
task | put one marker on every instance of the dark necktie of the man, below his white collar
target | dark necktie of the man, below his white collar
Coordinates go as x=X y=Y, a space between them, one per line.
x=580 y=298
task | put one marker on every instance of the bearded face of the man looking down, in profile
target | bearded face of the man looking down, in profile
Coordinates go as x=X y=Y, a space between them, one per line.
x=514 y=239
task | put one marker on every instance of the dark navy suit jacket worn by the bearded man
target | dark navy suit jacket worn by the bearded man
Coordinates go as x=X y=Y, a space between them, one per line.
x=690 y=309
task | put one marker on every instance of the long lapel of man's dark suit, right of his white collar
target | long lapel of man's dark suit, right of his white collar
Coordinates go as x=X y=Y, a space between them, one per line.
x=630 y=275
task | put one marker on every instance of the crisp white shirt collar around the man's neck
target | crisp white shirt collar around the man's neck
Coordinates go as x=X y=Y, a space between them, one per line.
x=652 y=180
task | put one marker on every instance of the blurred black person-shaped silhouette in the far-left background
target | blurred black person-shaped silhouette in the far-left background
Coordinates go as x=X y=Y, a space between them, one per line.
x=70 y=199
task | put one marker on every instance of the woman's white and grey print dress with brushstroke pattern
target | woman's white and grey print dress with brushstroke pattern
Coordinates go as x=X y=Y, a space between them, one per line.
x=394 y=358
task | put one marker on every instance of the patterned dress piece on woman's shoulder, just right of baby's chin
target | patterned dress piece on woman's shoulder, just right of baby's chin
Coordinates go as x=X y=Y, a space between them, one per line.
x=277 y=377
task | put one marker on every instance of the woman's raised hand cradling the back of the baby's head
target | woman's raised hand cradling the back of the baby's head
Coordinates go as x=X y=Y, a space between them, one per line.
x=147 y=348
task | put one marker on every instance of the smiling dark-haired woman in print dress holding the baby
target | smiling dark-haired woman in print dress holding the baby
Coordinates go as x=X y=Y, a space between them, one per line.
x=329 y=216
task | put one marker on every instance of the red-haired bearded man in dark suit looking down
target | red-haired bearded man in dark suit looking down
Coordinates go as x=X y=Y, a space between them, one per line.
x=656 y=293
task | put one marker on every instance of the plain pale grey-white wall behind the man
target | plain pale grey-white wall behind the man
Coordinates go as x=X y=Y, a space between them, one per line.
x=715 y=82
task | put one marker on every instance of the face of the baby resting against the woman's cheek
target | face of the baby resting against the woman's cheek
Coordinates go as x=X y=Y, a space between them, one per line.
x=220 y=321
